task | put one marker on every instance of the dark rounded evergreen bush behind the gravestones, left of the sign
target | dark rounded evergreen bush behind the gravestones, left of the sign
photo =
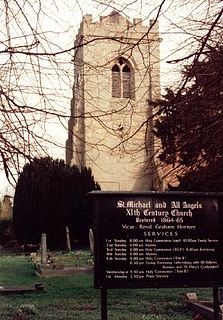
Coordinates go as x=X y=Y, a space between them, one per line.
x=50 y=196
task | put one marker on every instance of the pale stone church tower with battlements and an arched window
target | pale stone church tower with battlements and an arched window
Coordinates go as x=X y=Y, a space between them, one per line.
x=116 y=76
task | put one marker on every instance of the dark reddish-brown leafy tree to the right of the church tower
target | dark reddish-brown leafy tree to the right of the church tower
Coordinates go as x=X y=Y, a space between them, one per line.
x=190 y=125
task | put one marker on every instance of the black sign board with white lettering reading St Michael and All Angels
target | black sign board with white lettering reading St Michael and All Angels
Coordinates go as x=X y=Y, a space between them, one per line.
x=158 y=239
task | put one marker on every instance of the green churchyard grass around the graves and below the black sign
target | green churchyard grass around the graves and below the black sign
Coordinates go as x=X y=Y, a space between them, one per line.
x=74 y=297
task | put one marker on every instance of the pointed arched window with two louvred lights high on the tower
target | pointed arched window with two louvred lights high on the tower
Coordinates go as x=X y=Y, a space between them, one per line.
x=122 y=79
